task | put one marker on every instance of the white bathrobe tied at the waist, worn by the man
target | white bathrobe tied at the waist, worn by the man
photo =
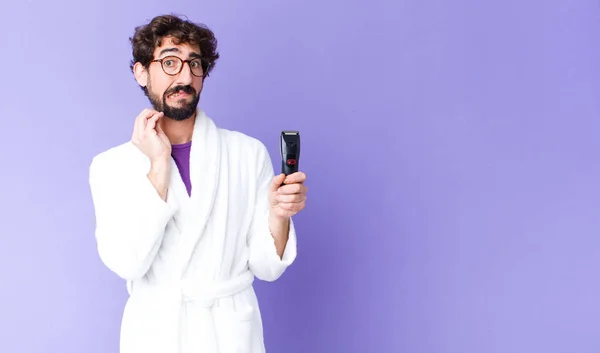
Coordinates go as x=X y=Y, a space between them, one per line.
x=190 y=262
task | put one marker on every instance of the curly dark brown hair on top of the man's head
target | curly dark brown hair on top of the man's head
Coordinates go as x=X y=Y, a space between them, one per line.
x=148 y=37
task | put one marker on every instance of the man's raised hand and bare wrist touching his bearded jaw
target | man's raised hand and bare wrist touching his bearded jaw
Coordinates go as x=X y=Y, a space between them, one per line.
x=149 y=137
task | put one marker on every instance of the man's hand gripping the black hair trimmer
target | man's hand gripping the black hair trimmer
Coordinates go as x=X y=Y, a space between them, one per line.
x=289 y=199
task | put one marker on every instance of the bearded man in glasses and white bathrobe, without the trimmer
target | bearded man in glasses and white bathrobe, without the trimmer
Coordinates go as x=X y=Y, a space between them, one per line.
x=188 y=213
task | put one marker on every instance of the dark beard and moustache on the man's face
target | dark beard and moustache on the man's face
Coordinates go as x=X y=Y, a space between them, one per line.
x=180 y=113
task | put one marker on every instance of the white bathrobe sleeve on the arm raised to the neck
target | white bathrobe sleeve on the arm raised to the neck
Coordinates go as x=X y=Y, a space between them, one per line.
x=130 y=216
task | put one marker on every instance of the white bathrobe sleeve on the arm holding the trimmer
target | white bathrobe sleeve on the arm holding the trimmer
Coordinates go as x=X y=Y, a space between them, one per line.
x=264 y=261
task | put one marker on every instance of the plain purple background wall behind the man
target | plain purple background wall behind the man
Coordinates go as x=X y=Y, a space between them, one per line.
x=451 y=149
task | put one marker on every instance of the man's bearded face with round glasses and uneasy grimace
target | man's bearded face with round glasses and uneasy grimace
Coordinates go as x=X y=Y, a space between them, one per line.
x=176 y=93
